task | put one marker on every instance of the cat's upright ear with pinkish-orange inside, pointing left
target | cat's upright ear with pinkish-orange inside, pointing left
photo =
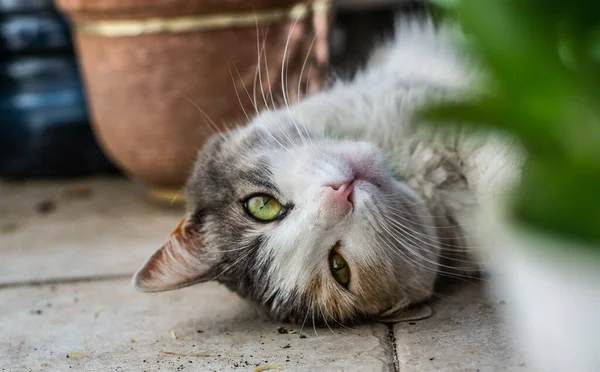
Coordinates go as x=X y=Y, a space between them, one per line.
x=180 y=262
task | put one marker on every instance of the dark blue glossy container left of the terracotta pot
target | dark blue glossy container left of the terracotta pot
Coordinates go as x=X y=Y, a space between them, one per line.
x=44 y=127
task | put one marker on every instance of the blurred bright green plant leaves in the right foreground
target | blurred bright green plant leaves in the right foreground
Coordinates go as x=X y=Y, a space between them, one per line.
x=543 y=58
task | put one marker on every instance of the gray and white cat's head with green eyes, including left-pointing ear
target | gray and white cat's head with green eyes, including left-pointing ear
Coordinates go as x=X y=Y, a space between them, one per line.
x=309 y=228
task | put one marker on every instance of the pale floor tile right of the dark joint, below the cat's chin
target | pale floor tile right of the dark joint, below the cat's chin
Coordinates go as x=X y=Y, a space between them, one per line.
x=464 y=334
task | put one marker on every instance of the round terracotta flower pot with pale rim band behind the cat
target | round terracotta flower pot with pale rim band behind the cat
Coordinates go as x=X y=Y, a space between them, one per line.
x=158 y=72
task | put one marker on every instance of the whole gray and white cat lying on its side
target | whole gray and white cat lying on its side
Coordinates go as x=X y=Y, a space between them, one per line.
x=340 y=207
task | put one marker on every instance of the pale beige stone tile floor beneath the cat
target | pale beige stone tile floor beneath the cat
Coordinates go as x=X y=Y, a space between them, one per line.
x=68 y=249
